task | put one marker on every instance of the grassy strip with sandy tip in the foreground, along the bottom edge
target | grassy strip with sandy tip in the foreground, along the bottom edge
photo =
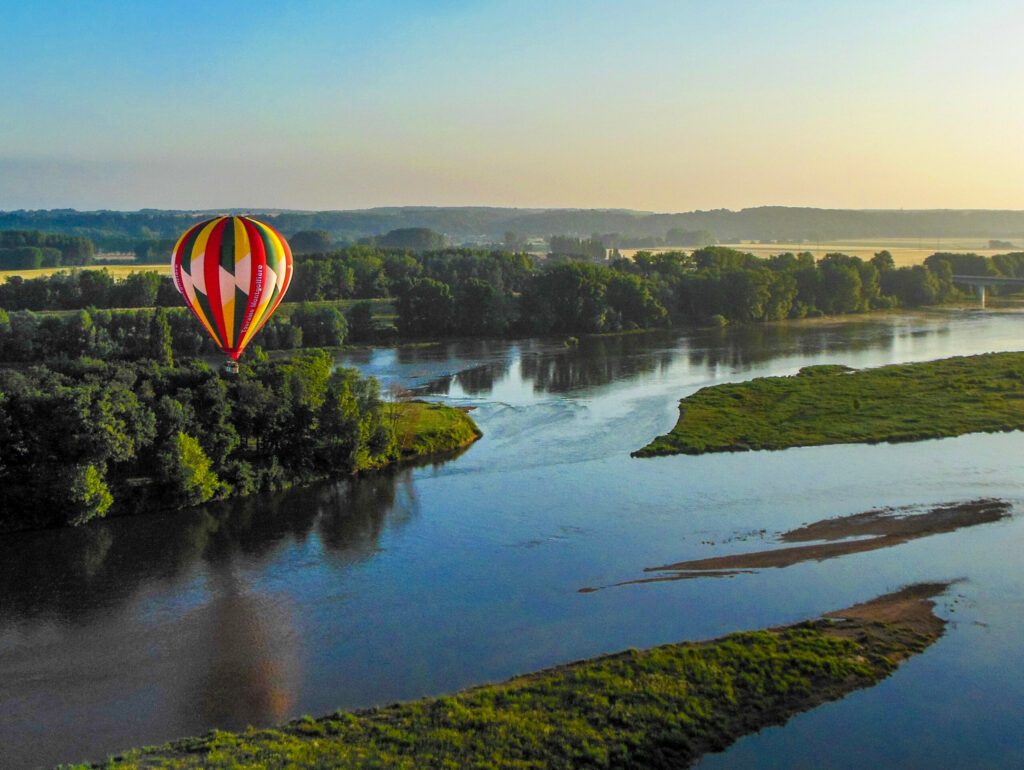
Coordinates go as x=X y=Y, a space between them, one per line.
x=661 y=708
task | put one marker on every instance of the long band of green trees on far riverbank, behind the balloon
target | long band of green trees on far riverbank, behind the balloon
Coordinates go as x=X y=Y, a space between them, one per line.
x=473 y=292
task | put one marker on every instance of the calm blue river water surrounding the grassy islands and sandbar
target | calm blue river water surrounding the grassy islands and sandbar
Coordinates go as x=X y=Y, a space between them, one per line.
x=351 y=594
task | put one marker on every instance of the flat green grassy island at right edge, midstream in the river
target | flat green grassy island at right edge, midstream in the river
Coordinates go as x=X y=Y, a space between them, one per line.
x=829 y=405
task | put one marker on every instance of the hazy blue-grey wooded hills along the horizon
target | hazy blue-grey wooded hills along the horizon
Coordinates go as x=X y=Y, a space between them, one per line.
x=112 y=230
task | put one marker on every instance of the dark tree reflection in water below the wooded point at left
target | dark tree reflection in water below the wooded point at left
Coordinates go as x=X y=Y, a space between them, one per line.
x=74 y=574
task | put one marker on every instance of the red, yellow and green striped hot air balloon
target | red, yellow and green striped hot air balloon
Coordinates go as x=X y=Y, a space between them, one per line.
x=233 y=273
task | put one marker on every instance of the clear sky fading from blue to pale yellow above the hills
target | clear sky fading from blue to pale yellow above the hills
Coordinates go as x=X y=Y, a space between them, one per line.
x=651 y=105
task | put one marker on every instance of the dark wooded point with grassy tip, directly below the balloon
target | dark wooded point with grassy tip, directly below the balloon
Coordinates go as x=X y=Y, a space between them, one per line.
x=82 y=438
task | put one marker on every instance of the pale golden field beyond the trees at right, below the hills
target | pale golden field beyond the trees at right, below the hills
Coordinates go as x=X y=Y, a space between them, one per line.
x=906 y=251
